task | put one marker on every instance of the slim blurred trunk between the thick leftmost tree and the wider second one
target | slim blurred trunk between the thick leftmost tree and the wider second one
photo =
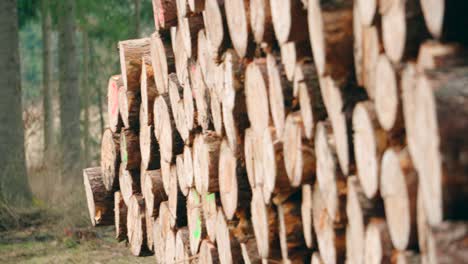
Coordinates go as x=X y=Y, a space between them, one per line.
x=49 y=137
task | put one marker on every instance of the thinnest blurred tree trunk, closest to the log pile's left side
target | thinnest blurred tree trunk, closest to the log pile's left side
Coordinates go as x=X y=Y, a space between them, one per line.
x=86 y=98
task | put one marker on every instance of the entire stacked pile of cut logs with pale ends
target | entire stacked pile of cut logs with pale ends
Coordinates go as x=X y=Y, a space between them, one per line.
x=290 y=131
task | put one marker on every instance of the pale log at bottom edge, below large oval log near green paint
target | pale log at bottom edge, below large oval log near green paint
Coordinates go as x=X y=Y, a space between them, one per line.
x=229 y=248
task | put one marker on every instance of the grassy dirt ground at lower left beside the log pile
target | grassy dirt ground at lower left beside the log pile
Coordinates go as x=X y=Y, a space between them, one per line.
x=43 y=244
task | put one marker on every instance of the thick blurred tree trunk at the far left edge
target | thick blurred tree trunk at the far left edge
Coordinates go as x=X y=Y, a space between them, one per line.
x=14 y=187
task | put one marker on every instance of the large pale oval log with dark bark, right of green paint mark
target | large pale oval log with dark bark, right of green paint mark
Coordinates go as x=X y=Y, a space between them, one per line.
x=233 y=186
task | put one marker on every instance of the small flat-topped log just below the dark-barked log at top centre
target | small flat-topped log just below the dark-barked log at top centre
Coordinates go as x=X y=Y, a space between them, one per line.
x=293 y=53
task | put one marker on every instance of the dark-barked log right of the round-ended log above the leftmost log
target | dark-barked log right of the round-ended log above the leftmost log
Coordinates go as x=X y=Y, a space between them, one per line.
x=130 y=149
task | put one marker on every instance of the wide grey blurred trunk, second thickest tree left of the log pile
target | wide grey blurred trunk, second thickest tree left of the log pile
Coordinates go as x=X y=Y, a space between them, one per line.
x=69 y=91
